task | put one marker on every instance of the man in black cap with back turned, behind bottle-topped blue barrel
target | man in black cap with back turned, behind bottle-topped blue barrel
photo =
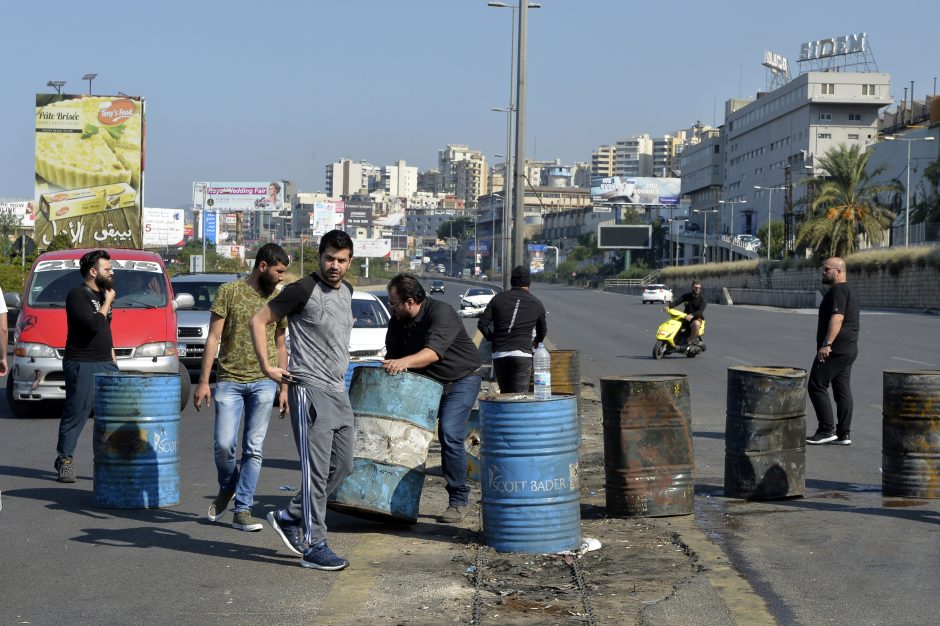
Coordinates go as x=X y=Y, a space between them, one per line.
x=507 y=323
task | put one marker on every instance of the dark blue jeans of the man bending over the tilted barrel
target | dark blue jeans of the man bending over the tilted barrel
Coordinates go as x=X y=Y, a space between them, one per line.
x=452 y=416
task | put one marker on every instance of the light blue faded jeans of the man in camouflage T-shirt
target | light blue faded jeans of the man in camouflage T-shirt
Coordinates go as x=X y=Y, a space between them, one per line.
x=257 y=401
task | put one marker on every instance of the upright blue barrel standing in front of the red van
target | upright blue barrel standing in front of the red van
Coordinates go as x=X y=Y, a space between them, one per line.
x=136 y=441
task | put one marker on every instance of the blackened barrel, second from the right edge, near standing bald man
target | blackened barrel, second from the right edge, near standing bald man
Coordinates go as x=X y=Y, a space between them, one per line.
x=765 y=432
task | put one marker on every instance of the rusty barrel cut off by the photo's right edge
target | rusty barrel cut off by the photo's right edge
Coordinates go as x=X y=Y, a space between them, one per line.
x=910 y=439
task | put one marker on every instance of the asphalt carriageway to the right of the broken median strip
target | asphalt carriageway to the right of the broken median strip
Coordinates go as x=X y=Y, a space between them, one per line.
x=842 y=554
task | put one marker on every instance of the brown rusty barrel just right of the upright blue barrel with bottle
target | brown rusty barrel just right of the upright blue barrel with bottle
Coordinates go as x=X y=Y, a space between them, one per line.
x=648 y=458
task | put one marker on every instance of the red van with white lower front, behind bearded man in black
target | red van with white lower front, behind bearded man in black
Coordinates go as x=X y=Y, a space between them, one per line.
x=143 y=325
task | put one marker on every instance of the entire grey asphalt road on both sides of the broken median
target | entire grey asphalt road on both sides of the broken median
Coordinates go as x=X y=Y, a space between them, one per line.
x=842 y=554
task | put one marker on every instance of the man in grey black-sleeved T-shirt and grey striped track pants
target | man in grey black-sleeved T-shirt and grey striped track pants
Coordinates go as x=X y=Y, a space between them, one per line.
x=319 y=315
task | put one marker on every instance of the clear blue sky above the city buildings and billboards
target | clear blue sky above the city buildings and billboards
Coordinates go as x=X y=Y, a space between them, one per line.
x=269 y=90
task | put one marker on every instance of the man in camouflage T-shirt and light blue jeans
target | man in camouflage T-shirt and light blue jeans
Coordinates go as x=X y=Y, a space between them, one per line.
x=242 y=386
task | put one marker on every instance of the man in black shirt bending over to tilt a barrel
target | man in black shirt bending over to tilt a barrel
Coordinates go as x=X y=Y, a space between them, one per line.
x=425 y=336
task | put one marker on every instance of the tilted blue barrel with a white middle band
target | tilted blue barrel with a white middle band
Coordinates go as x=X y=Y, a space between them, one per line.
x=395 y=419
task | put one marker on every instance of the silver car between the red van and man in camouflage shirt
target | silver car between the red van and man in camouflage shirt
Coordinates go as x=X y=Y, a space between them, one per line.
x=193 y=324
